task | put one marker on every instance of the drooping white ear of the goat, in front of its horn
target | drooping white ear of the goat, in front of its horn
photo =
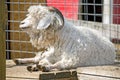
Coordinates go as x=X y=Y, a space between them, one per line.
x=45 y=21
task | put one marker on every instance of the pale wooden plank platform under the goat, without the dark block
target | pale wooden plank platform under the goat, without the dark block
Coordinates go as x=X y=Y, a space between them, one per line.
x=107 y=72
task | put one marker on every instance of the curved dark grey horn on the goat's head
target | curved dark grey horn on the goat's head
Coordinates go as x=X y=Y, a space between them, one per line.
x=58 y=15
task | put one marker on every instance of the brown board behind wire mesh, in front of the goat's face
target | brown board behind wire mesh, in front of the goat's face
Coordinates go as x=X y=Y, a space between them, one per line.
x=17 y=41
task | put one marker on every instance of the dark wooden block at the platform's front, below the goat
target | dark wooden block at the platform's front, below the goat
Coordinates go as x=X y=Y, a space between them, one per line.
x=59 y=75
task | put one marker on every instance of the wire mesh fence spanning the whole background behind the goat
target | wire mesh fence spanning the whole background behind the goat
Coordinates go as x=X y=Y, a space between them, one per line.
x=103 y=15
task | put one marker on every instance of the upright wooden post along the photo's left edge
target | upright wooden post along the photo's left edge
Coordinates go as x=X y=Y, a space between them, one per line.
x=3 y=18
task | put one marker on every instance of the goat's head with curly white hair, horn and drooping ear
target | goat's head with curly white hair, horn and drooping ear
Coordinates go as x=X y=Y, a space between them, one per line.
x=42 y=18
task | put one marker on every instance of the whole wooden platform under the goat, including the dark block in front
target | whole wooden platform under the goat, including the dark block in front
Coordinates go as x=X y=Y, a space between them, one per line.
x=105 y=72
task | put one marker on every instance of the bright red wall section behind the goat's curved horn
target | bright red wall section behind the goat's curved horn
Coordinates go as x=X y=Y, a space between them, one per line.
x=69 y=8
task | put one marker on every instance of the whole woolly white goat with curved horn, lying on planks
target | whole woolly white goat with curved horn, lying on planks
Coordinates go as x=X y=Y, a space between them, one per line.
x=65 y=46
